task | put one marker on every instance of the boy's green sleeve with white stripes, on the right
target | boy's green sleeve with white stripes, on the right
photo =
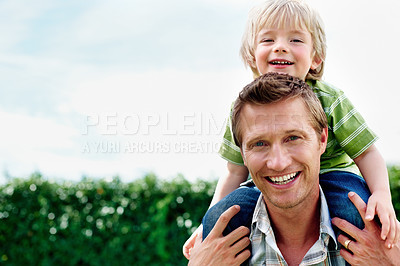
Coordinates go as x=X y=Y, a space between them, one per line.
x=349 y=127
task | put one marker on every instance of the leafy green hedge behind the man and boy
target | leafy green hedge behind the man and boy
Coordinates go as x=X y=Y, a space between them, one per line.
x=106 y=222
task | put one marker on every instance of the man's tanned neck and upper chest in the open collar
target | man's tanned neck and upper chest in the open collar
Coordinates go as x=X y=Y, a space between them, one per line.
x=296 y=229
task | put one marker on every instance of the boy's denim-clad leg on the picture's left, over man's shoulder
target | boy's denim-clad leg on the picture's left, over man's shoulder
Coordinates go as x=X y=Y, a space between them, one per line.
x=245 y=196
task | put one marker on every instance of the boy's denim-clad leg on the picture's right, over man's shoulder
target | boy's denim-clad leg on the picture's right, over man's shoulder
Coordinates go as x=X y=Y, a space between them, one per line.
x=336 y=185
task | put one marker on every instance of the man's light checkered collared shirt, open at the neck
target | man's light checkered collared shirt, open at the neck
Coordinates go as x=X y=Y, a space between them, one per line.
x=266 y=252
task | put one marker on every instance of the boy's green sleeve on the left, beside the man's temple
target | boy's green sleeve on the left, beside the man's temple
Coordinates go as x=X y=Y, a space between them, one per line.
x=228 y=149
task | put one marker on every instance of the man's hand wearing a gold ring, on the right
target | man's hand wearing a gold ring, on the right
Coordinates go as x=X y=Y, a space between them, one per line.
x=366 y=247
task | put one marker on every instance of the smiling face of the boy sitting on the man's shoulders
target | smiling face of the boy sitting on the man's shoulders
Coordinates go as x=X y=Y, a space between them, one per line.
x=286 y=51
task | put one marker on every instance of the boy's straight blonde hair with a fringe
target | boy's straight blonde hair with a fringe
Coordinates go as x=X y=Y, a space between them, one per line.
x=280 y=14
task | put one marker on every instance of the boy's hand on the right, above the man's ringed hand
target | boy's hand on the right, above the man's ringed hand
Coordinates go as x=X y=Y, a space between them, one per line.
x=380 y=204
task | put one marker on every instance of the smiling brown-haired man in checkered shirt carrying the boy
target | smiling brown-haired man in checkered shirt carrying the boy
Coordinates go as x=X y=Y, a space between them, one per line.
x=282 y=132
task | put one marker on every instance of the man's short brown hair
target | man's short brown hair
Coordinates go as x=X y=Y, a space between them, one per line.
x=272 y=88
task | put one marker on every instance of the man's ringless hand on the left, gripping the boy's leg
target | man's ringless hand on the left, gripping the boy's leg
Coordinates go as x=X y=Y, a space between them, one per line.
x=217 y=249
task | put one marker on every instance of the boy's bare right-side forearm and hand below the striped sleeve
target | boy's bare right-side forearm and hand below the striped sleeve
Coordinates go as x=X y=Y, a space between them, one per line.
x=374 y=171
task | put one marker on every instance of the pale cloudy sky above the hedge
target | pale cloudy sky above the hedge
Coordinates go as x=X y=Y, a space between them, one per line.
x=124 y=88
